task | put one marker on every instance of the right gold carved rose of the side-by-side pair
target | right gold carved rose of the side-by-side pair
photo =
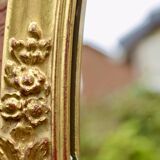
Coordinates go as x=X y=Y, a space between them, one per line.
x=36 y=110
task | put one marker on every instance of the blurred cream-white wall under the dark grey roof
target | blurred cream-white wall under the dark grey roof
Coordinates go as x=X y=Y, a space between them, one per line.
x=147 y=61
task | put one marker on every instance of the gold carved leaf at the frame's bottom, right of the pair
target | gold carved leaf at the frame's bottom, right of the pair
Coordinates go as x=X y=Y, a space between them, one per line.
x=39 y=151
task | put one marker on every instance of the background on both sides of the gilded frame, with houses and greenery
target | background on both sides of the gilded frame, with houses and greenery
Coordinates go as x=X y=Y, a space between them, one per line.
x=120 y=83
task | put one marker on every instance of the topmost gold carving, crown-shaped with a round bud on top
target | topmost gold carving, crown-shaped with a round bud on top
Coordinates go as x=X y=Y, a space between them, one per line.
x=32 y=51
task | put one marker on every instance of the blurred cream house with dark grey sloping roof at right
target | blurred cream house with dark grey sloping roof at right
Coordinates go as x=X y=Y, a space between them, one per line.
x=142 y=49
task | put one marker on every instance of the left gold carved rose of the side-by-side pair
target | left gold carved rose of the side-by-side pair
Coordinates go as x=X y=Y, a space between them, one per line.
x=11 y=106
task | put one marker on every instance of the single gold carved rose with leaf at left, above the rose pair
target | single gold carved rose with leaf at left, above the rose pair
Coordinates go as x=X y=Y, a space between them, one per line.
x=27 y=80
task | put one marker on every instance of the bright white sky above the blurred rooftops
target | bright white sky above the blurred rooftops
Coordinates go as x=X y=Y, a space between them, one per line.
x=107 y=21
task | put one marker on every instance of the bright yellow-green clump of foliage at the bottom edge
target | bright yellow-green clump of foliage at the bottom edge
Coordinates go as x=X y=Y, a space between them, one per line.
x=127 y=144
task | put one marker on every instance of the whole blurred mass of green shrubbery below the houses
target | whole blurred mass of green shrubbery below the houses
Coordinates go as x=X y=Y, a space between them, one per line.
x=124 y=127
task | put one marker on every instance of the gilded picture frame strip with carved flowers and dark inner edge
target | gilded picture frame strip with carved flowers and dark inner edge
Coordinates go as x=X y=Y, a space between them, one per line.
x=40 y=80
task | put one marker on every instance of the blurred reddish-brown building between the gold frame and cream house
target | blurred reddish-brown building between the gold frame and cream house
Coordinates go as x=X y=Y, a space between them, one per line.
x=102 y=75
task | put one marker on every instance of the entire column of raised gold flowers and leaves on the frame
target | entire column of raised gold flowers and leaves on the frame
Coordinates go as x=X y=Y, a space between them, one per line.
x=27 y=103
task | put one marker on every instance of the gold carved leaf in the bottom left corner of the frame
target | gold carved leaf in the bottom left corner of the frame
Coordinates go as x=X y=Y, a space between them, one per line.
x=7 y=150
